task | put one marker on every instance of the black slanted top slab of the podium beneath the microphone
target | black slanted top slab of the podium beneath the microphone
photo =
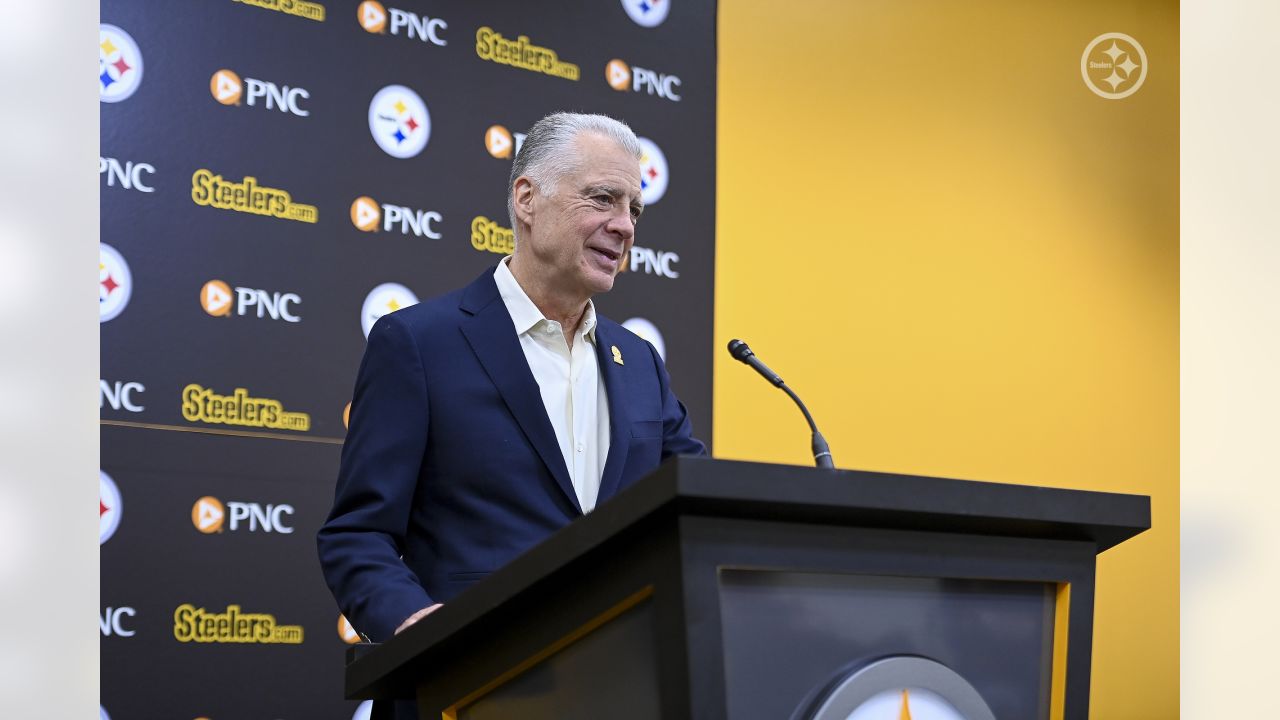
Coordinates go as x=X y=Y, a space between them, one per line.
x=765 y=493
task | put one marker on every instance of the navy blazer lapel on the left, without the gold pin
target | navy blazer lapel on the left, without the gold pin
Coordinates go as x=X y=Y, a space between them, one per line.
x=493 y=339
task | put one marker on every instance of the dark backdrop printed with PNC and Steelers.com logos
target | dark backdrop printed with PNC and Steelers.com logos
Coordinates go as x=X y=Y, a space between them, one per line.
x=276 y=176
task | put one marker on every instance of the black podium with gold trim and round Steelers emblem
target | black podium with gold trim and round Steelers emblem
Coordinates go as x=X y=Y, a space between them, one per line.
x=720 y=590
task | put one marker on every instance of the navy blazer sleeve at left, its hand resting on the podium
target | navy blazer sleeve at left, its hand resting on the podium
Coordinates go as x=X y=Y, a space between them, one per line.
x=362 y=543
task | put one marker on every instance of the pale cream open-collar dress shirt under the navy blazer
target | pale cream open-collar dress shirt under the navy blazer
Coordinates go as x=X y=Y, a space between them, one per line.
x=570 y=384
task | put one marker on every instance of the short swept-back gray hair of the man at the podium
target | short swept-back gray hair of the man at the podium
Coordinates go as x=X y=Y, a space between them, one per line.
x=548 y=153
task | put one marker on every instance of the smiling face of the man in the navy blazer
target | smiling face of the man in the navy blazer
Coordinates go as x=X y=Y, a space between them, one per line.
x=582 y=233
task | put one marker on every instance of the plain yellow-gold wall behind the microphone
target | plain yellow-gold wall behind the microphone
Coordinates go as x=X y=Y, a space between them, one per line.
x=967 y=263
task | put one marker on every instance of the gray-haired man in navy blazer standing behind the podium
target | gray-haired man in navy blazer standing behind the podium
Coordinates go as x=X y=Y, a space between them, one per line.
x=490 y=418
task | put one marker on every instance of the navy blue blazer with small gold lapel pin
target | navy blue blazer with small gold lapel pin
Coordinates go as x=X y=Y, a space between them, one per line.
x=451 y=467
